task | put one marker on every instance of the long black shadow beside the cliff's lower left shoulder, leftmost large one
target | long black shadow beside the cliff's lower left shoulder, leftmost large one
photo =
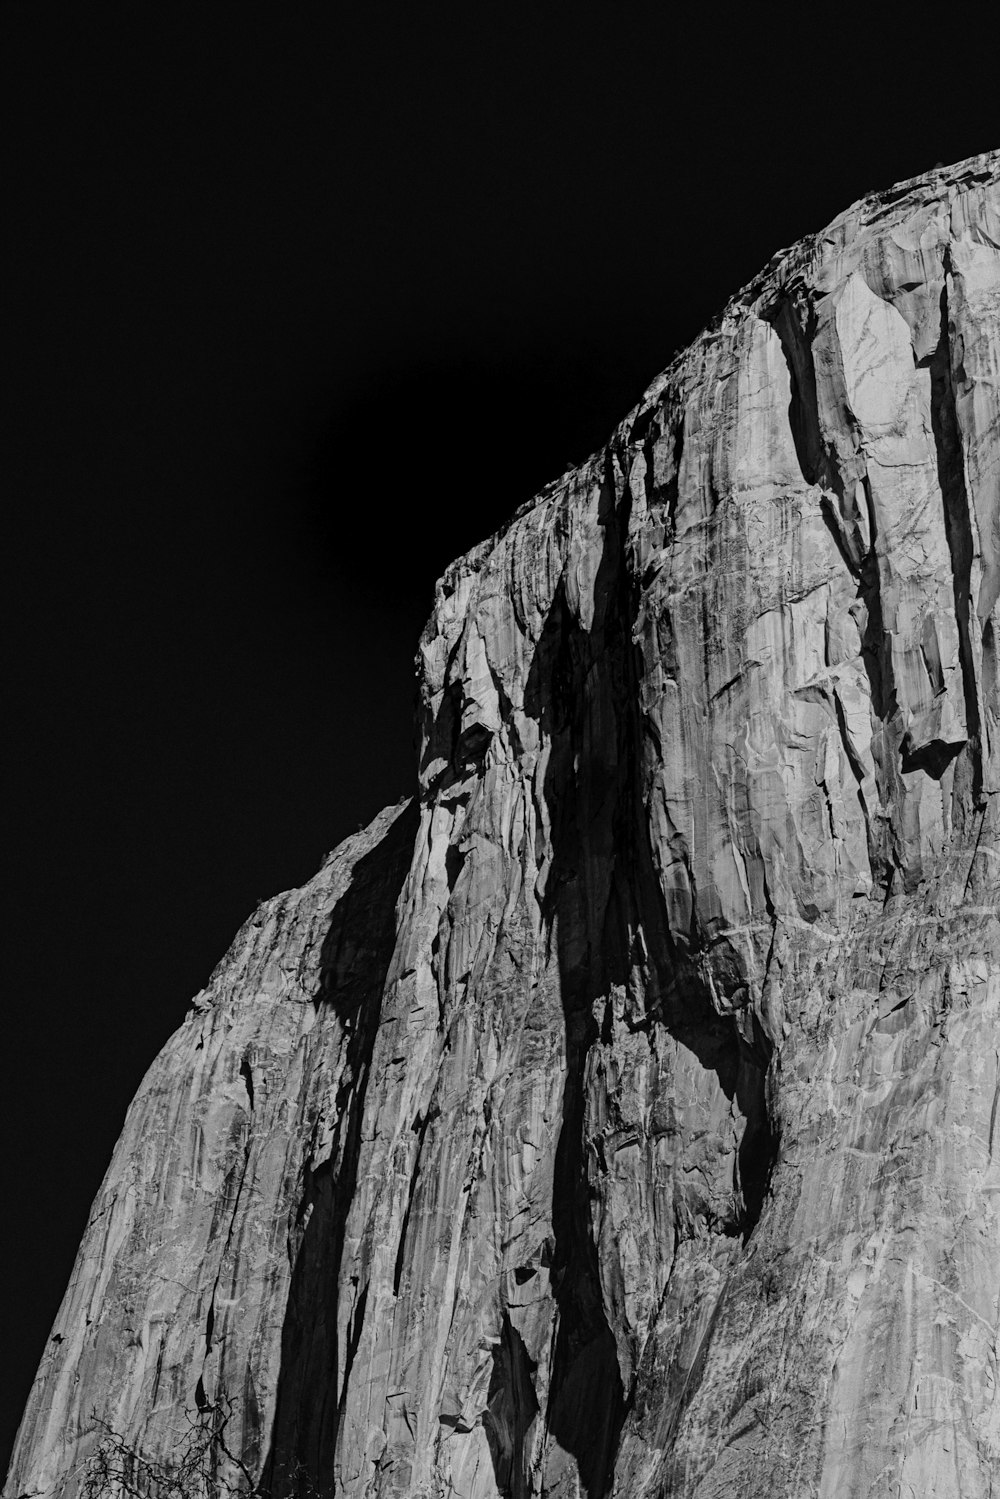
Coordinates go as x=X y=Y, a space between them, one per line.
x=356 y=956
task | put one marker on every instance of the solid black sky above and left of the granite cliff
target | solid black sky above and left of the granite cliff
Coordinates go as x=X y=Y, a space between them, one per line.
x=299 y=305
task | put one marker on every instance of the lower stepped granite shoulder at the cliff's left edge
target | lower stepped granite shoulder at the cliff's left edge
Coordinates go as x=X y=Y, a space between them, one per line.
x=184 y=1278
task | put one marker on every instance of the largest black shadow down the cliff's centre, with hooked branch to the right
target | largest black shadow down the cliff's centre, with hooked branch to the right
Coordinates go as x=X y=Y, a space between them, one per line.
x=605 y=911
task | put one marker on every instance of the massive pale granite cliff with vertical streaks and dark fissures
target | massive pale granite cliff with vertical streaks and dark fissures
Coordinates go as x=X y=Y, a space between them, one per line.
x=623 y=1118
